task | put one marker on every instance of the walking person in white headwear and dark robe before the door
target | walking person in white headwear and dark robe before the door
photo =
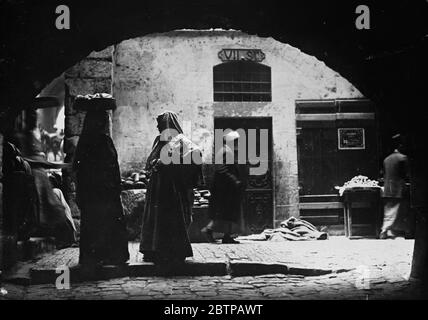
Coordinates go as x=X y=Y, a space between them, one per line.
x=226 y=193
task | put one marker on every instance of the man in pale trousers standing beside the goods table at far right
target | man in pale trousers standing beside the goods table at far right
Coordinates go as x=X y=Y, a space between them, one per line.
x=396 y=174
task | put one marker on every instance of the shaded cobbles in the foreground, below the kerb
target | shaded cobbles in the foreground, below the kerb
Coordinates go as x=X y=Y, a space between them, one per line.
x=345 y=285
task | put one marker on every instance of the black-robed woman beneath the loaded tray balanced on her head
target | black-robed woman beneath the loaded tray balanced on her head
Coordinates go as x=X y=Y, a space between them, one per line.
x=103 y=237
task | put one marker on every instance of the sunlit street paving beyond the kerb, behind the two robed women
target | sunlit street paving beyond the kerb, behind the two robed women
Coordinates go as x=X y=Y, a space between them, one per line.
x=334 y=254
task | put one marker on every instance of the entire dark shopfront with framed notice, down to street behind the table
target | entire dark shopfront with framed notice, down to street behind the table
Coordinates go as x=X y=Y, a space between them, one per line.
x=336 y=140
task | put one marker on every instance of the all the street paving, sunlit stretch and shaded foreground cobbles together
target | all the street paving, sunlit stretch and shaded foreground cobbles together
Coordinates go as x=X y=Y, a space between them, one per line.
x=360 y=269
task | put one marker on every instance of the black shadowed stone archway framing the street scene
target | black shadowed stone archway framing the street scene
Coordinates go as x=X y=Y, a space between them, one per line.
x=38 y=52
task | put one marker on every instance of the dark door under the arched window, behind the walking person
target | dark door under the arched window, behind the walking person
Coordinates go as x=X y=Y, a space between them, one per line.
x=257 y=210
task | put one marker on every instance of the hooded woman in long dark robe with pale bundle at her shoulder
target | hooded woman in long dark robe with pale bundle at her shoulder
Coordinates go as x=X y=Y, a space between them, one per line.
x=169 y=197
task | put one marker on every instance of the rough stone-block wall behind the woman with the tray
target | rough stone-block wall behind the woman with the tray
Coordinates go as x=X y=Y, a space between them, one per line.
x=89 y=76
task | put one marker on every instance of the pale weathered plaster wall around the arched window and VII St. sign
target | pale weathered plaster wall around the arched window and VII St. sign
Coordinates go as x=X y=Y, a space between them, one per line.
x=174 y=71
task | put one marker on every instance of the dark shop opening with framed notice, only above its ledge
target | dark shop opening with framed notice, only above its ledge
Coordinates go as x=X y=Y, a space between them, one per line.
x=336 y=140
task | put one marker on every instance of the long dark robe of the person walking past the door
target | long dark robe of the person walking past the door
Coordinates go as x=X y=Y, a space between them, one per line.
x=225 y=203
